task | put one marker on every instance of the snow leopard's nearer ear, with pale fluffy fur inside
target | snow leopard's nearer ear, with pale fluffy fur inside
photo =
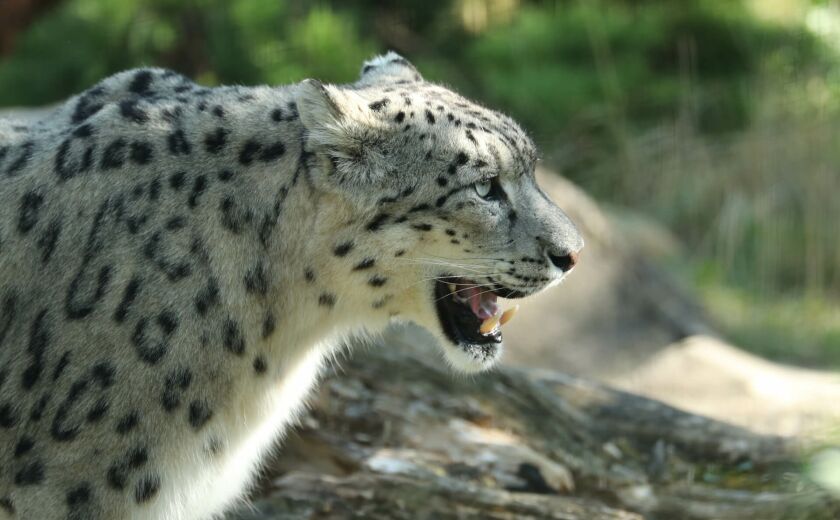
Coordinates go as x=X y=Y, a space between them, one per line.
x=341 y=124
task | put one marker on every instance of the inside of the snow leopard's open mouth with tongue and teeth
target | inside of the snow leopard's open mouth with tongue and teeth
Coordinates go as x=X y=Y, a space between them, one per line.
x=469 y=313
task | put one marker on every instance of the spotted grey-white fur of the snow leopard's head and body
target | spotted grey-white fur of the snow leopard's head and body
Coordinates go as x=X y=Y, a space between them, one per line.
x=176 y=262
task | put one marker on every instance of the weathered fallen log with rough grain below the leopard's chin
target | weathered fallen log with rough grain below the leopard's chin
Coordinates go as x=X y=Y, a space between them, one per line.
x=393 y=433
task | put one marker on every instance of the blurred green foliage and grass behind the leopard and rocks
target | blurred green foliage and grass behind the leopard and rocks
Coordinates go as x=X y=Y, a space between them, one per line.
x=597 y=82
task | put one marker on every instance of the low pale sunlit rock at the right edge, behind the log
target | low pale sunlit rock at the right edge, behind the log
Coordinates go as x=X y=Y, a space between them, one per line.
x=710 y=377
